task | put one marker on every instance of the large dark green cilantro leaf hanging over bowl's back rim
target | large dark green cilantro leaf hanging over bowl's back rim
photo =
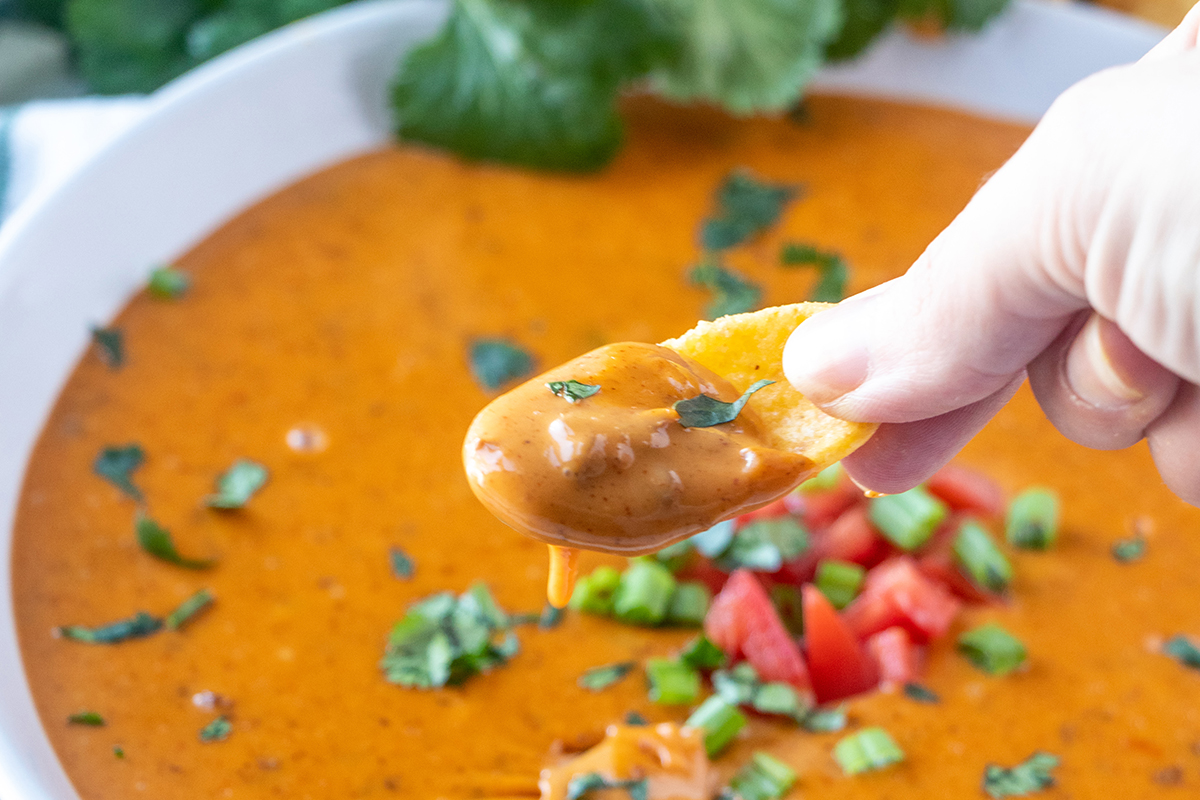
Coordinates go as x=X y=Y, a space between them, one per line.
x=529 y=82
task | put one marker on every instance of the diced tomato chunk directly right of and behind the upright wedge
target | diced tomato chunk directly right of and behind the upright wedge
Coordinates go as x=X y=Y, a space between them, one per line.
x=896 y=593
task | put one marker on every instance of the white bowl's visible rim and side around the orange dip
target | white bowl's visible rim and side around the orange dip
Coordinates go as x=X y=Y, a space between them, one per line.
x=311 y=95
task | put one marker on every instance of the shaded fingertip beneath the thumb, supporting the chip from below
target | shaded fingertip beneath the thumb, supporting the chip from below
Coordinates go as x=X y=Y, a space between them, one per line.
x=903 y=455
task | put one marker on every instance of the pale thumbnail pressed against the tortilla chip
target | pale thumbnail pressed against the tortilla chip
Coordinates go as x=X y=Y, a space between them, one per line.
x=825 y=358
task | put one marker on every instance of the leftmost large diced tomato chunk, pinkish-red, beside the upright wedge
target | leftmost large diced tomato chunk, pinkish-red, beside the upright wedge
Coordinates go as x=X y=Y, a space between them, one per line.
x=742 y=622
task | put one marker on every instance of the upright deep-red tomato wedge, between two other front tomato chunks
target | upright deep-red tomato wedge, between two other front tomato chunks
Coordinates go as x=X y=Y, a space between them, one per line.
x=838 y=665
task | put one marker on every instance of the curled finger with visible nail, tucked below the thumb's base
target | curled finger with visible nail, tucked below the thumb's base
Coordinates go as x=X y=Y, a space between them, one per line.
x=1097 y=388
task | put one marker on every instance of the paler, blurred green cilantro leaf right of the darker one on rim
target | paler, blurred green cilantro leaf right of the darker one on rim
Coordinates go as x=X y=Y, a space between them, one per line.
x=747 y=57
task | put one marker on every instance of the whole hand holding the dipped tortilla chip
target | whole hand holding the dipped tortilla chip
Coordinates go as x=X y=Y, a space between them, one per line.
x=1078 y=264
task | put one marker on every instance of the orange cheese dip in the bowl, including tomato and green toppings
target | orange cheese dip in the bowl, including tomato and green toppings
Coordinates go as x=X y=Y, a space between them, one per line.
x=248 y=564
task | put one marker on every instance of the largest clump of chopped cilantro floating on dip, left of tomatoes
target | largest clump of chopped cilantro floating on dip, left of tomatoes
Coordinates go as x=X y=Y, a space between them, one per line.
x=445 y=640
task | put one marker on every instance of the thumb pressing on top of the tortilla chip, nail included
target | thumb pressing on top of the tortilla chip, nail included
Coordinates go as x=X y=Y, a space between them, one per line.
x=988 y=296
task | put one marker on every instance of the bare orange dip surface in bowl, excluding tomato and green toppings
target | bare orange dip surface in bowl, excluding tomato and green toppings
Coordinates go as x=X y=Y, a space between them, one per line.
x=345 y=308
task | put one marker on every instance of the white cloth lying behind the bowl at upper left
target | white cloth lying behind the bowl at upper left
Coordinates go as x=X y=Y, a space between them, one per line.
x=44 y=142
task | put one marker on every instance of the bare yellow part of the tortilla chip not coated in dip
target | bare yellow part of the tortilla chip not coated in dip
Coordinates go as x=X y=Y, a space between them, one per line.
x=745 y=348
